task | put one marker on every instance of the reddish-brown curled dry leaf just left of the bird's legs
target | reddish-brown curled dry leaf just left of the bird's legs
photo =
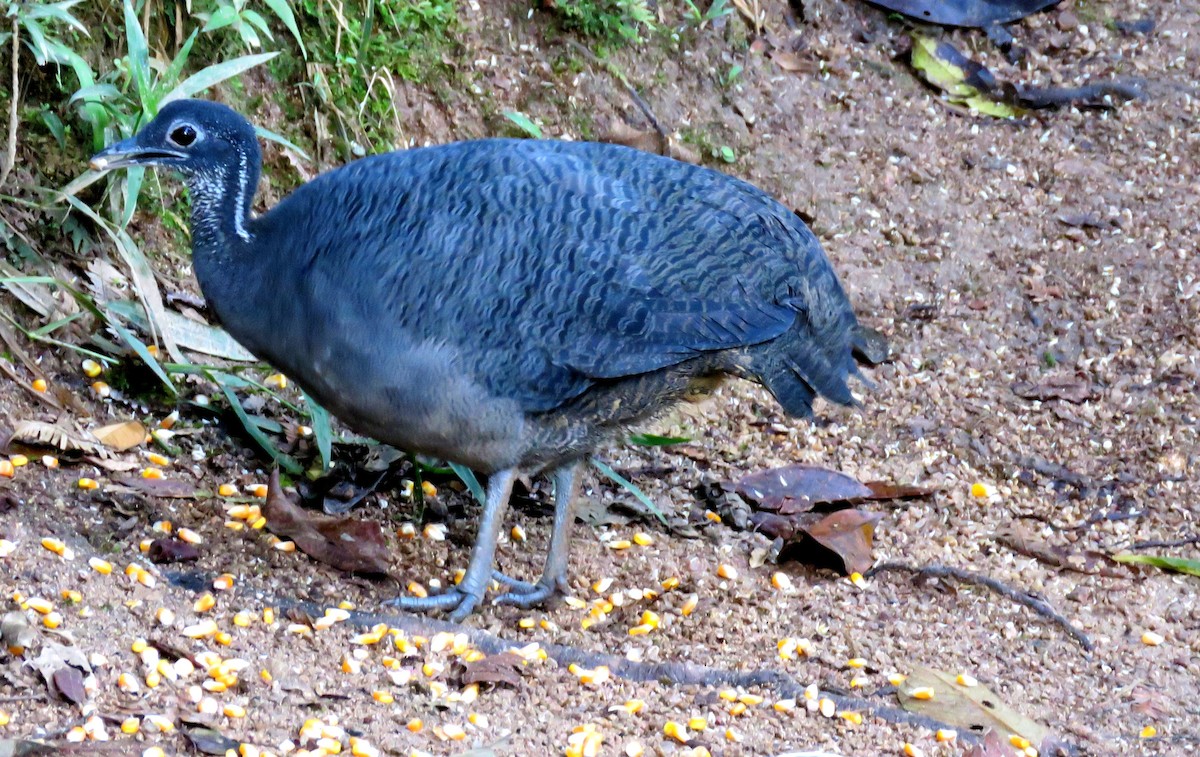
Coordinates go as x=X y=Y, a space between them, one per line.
x=347 y=544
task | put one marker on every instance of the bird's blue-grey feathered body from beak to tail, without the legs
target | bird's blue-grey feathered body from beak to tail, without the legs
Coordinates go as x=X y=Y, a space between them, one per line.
x=506 y=304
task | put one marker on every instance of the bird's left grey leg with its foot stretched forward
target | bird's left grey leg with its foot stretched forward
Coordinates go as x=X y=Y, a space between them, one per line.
x=461 y=600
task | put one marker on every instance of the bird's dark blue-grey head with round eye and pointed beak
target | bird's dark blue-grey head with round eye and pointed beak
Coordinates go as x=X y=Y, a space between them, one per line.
x=191 y=136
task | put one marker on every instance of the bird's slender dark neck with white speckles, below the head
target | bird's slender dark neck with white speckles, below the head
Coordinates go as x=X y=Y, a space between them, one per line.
x=221 y=202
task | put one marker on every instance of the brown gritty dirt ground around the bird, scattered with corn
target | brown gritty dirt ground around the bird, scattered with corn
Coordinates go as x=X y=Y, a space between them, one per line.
x=1059 y=253
